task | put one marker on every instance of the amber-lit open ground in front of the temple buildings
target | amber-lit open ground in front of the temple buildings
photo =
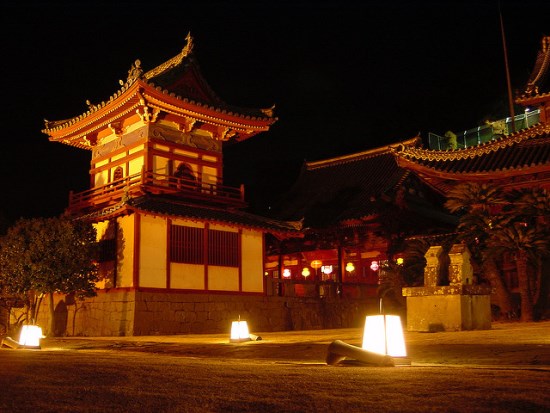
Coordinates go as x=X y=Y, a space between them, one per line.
x=504 y=369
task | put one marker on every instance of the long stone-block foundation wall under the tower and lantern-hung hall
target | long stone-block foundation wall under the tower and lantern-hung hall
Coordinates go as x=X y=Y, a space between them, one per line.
x=148 y=313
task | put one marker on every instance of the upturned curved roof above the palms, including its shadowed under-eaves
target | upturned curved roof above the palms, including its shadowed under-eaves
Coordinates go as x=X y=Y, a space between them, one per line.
x=513 y=156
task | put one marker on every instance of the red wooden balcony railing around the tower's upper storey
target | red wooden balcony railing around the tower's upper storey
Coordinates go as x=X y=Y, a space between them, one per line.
x=153 y=183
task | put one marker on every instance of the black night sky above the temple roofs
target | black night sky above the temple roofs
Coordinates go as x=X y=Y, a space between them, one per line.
x=345 y=76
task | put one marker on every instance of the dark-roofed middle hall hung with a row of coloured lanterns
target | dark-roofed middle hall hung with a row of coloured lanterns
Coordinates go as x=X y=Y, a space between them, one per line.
x=355 y=211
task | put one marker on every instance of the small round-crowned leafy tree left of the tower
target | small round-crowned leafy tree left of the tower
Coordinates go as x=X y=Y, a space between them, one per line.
x=44 y=256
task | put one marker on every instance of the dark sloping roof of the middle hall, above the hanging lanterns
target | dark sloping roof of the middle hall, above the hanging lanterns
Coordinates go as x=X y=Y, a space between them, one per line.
x=352 y=189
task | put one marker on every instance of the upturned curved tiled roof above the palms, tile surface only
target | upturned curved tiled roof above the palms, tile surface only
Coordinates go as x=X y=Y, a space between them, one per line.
x=528 y=148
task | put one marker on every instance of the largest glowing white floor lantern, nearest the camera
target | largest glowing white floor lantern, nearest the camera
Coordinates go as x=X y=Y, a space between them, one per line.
x=383 y=334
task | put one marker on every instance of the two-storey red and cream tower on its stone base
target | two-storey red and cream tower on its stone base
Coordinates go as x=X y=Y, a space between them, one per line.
x=178 y=251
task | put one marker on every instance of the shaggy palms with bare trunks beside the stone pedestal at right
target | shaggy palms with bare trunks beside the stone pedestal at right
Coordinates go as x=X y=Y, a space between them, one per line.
x=495 y=224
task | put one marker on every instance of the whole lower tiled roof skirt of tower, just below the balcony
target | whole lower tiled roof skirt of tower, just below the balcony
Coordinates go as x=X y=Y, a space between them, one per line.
x=168 y=207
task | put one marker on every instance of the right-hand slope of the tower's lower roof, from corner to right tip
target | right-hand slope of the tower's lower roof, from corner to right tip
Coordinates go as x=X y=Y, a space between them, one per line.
x=232 y=217
